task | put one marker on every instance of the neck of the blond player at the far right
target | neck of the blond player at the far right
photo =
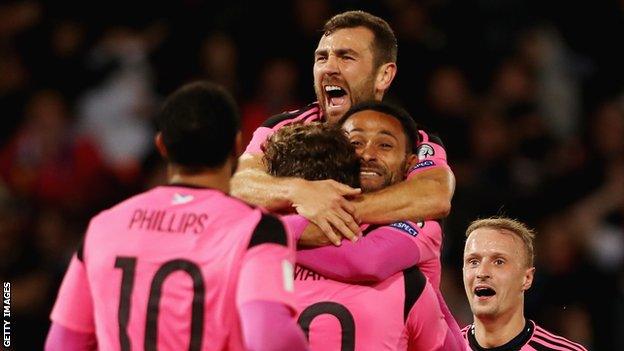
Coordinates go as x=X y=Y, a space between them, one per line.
x=497 y=331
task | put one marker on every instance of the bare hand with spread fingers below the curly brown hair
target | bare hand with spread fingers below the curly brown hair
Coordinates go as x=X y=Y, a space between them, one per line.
x=322 y=202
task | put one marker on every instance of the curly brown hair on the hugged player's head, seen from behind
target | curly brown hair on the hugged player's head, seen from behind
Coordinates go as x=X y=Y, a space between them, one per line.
x=314 y=151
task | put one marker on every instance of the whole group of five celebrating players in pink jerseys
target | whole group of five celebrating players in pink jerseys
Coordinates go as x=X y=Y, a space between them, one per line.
x=323 y=235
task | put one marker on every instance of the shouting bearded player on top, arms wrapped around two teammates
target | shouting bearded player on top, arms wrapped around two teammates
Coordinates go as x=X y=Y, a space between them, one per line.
x=355 y=61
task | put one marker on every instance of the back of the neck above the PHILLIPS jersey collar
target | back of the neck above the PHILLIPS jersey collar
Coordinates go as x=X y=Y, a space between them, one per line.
x=214 y=178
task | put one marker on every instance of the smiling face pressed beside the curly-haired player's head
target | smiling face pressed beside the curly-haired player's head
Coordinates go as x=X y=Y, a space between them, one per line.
x=381 y=144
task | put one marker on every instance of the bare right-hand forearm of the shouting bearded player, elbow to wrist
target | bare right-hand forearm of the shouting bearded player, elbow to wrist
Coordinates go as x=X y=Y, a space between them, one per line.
x=426 y=195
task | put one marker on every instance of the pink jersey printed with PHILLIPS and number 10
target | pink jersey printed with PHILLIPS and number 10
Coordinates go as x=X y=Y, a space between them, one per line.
x=166 y=270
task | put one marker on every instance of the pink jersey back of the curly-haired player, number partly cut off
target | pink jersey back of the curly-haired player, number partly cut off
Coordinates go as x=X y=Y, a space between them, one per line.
x=400 y=313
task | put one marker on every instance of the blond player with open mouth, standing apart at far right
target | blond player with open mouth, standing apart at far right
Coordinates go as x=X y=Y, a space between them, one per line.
x=498 y=269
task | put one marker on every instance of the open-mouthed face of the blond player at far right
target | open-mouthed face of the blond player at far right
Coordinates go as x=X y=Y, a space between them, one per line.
x=495 y=273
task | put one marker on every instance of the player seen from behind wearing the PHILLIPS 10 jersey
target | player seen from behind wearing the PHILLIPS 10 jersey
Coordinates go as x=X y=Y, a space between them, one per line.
x=183 y=266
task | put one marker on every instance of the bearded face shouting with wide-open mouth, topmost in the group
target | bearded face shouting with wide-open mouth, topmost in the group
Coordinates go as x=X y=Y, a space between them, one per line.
x=343 y=71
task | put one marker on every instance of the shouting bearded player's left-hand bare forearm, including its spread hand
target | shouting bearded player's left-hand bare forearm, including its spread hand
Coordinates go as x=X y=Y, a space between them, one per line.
x=322 y=202
